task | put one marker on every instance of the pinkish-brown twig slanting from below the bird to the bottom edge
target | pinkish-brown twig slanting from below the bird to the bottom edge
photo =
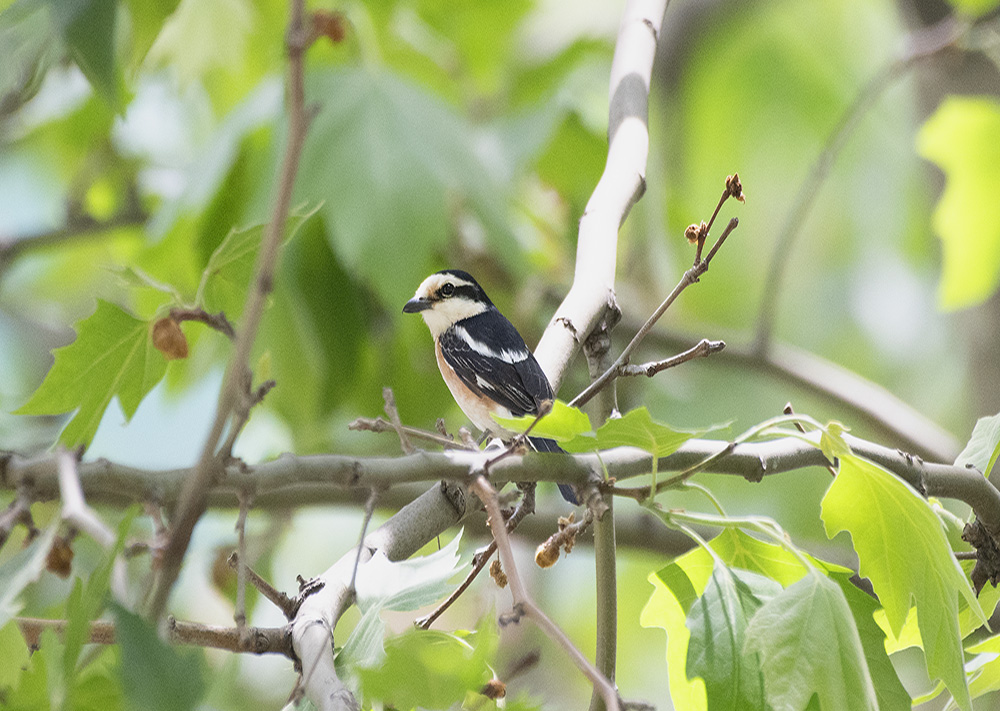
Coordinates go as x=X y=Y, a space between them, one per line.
x=523 y=604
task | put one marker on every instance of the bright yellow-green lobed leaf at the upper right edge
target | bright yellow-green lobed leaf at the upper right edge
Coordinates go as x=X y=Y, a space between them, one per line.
x=961 y=139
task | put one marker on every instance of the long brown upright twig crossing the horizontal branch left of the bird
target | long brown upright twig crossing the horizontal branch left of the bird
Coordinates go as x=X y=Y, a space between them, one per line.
x=193 y=498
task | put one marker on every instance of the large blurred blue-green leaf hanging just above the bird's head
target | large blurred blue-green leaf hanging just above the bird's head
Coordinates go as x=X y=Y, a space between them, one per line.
x=394 y=165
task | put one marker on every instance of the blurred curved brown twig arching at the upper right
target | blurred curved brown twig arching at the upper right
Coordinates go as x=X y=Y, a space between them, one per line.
x=919 y=45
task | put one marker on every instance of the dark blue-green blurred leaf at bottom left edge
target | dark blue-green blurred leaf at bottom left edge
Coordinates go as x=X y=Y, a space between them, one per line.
x=154 y=675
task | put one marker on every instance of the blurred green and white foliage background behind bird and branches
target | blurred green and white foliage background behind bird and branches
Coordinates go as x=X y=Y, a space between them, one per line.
x=470 y=135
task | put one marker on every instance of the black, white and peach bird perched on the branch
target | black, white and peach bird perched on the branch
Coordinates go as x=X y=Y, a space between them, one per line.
x=483 y=359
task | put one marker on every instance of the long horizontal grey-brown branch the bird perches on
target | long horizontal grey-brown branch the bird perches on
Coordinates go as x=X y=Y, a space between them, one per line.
x=321 y=478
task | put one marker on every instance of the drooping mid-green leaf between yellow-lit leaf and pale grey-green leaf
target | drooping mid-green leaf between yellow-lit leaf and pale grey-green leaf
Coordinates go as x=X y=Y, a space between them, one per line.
x=718 y=625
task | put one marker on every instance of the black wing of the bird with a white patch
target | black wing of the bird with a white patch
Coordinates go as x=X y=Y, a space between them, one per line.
x=490 y=357
